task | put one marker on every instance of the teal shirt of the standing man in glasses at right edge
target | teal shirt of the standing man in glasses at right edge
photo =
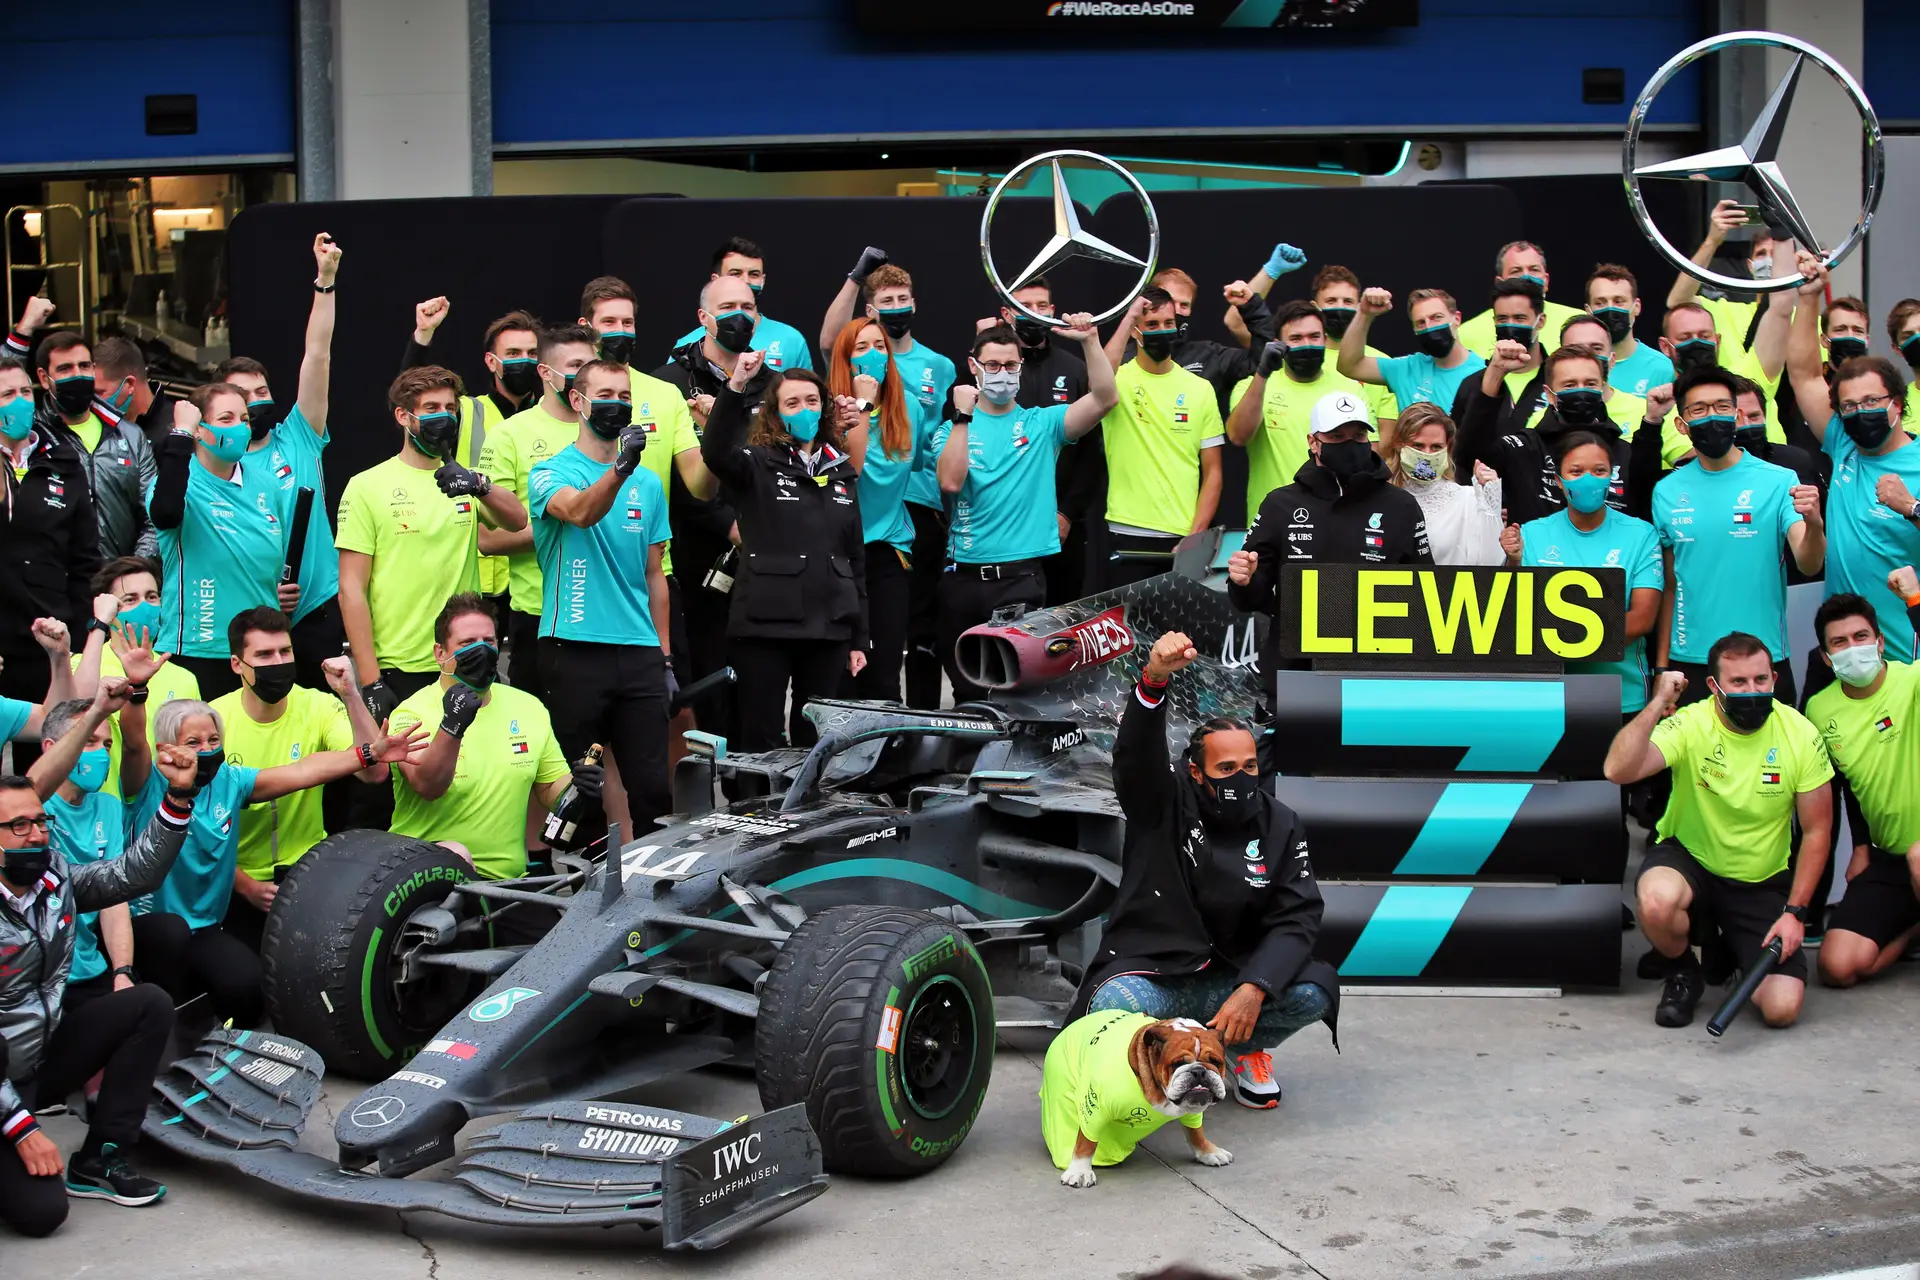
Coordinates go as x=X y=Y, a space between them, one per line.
x=1865 y=538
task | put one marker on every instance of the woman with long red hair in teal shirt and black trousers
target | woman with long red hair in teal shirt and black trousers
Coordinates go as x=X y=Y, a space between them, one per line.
x=888 y=446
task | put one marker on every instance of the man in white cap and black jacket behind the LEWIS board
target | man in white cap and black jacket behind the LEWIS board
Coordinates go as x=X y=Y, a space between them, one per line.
x=1341 y=508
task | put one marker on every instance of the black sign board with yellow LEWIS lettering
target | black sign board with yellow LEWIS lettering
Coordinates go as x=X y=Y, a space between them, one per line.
x=1454 y=613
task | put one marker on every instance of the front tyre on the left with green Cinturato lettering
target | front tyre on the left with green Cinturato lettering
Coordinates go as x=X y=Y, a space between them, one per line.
x=329 y=953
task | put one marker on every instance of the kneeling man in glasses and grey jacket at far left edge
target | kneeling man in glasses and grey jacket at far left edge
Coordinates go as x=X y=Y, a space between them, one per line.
x=45 y=1051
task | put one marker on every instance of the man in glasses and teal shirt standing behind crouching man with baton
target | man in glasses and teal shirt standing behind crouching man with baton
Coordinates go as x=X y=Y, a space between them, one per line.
x=1727 y=525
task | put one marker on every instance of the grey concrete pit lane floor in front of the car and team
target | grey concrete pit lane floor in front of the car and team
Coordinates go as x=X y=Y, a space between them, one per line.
x=1451 y=1137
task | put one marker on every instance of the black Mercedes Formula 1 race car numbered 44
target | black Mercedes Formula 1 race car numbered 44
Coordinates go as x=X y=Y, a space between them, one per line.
x=853 y=926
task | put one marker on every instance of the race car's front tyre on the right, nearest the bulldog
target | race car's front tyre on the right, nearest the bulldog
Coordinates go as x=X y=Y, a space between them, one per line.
x=880 y=1020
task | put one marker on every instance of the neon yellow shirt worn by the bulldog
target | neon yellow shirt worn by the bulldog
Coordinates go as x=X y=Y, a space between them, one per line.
x=1090 y=1087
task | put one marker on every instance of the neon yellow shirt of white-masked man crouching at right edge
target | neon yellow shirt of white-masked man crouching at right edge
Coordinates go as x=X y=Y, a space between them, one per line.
x=1875 y=744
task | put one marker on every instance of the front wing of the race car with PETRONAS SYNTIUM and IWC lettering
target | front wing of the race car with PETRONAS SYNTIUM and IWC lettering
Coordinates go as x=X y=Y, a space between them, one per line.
x=243 y=1101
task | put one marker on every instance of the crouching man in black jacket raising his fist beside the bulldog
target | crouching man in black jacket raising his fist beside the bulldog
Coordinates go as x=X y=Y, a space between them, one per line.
x=1218 y=909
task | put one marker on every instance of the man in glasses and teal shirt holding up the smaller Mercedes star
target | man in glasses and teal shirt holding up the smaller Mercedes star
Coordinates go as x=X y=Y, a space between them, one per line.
x=1003 y=473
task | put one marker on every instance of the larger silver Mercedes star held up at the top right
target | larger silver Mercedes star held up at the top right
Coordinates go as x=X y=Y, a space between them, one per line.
x=1754 y=160
